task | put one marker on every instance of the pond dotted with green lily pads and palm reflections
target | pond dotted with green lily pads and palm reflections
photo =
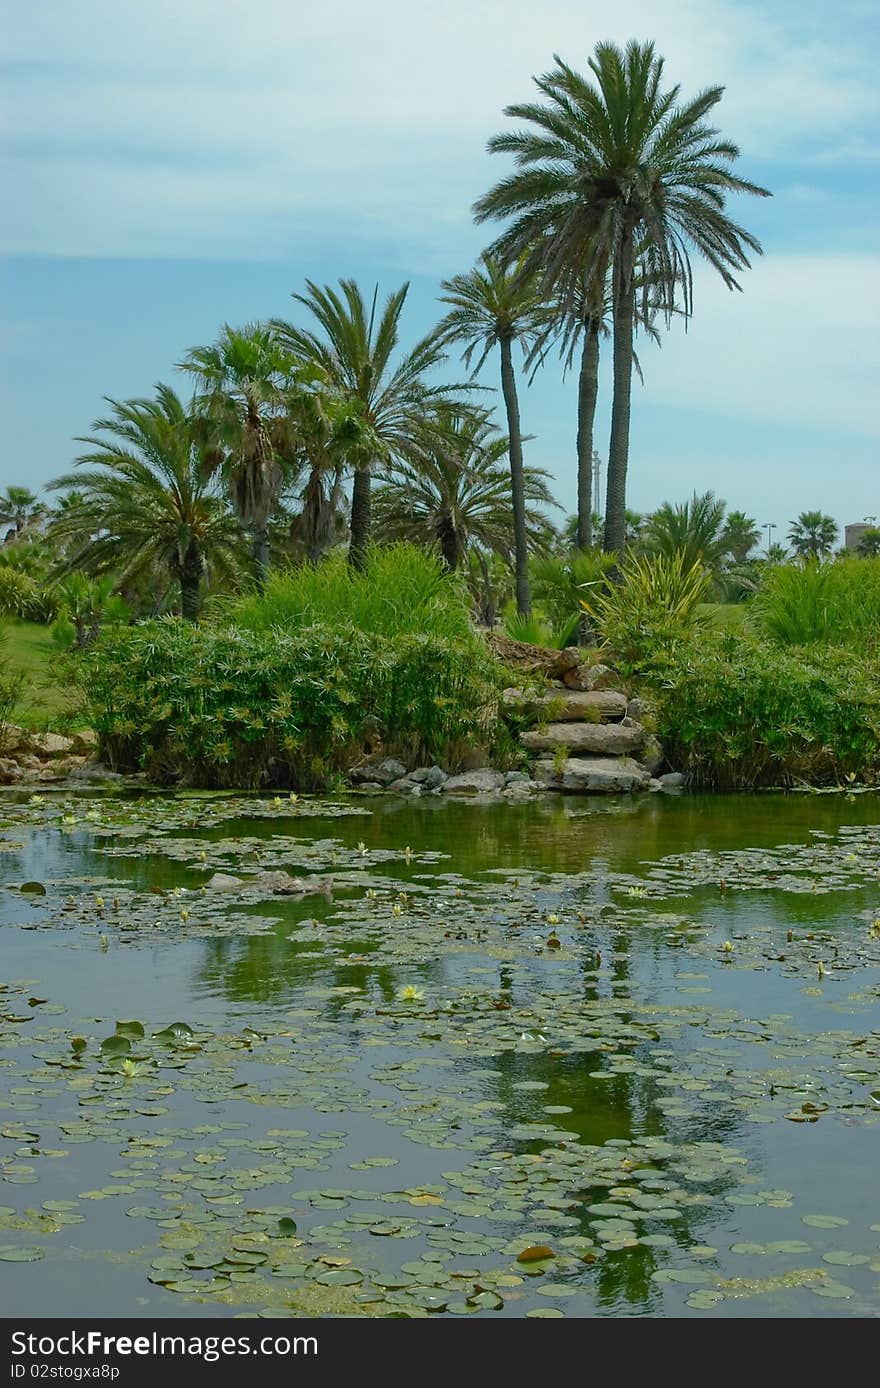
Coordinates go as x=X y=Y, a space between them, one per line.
x=560 y=1058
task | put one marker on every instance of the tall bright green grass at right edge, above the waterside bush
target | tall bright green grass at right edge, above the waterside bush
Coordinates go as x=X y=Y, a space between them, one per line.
x=803 y=604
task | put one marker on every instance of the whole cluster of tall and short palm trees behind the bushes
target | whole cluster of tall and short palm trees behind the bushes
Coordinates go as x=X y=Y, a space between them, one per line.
x=617 y=184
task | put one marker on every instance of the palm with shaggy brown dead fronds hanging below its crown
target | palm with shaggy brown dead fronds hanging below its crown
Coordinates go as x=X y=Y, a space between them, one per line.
x=248 y=388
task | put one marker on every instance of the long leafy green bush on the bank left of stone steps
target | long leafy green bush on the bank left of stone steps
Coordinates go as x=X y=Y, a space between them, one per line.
x=238 y=709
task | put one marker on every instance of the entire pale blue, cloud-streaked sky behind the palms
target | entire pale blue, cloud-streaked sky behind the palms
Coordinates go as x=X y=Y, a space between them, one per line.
x=176 y=164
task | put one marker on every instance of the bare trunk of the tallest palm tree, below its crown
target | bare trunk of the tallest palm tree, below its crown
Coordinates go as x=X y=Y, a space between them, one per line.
x=618 y=448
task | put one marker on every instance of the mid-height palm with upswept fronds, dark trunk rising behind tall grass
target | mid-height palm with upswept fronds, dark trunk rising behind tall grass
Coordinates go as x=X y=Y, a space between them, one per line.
x=355 y=353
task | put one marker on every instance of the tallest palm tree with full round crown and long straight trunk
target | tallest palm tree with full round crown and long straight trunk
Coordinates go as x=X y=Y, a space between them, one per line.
x=603 y=167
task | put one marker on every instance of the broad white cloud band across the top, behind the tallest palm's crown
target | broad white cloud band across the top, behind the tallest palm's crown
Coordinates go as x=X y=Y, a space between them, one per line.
x=224 y=128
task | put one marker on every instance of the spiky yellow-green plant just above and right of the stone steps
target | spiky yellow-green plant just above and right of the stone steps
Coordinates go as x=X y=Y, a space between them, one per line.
x=653 y=607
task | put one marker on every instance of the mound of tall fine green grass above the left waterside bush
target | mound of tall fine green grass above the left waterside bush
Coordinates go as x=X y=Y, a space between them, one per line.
x=403 y=592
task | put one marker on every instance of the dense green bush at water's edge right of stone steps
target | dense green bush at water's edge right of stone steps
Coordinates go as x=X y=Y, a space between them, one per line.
x=736 y=716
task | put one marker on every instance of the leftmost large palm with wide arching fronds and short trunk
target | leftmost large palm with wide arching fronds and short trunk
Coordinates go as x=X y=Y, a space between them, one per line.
x=144 y=503
